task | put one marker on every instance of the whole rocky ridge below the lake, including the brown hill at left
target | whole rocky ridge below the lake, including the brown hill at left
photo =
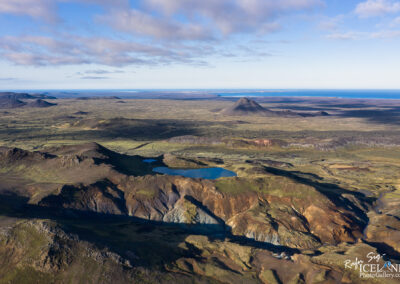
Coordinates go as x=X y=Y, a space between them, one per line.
x=271 y=209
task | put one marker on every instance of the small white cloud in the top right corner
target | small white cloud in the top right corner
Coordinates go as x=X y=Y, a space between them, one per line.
x=373 y=8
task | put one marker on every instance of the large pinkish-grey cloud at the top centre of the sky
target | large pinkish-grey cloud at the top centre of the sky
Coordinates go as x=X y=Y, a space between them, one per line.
x=203 y=20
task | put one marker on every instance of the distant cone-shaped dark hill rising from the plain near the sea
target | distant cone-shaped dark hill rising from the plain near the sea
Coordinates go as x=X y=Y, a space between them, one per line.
x=248 y=107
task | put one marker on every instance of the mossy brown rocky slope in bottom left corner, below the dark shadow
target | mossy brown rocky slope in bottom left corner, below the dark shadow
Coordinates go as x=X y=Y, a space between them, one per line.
x=40 y=251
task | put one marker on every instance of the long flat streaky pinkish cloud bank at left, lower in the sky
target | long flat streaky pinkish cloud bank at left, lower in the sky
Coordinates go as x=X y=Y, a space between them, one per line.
x=71 y=50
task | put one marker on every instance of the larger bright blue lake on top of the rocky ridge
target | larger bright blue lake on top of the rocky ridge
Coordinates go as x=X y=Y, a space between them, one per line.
x=207 y=173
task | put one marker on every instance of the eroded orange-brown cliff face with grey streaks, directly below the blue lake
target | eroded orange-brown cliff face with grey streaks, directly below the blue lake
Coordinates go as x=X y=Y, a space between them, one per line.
x=304 y=219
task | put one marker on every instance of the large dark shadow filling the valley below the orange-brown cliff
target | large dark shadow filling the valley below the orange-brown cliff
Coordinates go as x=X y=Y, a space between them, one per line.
x=145 y=243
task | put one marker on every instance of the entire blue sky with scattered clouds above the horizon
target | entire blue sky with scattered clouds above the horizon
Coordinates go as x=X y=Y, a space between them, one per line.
x=199 y=44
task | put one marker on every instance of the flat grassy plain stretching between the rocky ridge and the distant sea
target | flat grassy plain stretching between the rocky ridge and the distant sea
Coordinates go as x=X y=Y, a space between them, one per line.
x=369 y=158
